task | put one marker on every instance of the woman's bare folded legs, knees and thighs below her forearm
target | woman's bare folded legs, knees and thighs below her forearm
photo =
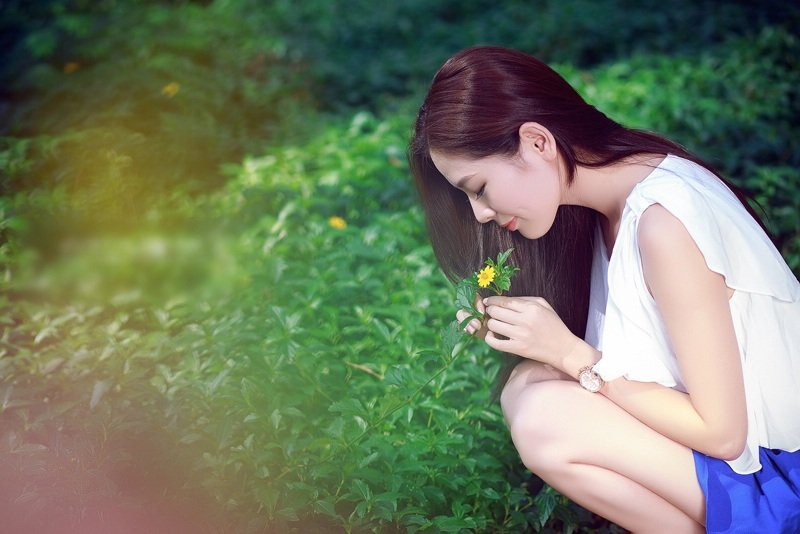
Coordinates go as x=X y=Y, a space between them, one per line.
x=600 y=456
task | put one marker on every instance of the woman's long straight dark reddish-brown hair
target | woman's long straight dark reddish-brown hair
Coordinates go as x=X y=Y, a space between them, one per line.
x=474 y=108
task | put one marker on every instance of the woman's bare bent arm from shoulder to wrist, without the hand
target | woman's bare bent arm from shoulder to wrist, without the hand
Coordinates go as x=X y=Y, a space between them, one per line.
x=693 y=302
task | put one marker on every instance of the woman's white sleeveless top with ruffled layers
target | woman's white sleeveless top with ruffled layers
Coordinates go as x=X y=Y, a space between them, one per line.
x=625 y=324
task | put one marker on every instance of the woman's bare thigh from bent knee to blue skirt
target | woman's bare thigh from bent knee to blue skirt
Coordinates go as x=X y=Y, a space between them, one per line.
x=556 y=422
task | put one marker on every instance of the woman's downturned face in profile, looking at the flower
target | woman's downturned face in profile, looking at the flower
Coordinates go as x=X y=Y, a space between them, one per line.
x=518 y=193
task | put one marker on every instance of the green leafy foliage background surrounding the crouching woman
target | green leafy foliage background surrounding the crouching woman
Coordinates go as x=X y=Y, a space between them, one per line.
x=218 y=307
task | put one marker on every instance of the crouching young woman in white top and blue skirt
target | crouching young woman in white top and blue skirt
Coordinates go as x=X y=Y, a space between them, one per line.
x=654 y=329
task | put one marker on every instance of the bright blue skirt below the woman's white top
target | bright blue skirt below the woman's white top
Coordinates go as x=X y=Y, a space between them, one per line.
x=767 y=501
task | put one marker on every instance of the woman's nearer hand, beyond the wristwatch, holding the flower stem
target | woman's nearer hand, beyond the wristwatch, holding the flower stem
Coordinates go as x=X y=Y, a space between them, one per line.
x=534 y=330
